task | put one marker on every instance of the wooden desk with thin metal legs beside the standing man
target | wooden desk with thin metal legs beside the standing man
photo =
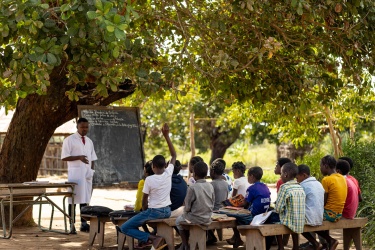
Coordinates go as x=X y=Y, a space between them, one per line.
x=34 y=194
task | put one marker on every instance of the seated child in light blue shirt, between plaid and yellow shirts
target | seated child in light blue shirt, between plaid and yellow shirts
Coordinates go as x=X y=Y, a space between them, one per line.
x=314 y=201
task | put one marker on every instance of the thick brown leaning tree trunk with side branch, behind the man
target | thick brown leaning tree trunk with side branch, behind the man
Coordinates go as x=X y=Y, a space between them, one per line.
x=34 y=122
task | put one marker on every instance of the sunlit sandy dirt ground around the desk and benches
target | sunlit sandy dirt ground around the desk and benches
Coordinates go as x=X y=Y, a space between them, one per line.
x=114 y=198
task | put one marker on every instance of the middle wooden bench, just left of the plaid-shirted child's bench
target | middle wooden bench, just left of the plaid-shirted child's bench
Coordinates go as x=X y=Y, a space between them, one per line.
x=198 y=232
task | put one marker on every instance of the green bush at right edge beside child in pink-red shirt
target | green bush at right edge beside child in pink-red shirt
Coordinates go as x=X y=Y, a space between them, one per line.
x=363 y=155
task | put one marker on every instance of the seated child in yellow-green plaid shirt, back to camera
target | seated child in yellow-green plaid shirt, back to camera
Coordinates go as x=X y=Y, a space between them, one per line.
x=290 y=204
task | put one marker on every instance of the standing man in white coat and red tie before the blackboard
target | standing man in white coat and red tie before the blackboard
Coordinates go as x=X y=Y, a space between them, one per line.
x=78 y=151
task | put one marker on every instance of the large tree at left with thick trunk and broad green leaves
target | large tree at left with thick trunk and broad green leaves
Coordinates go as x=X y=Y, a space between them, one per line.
x=56 y=55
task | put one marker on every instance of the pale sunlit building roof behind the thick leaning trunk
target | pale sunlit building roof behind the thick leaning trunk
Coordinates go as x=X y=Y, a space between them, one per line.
x=67 y=128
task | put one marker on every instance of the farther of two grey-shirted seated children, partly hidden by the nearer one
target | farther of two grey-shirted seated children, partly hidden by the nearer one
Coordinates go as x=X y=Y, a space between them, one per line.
x=220 y=190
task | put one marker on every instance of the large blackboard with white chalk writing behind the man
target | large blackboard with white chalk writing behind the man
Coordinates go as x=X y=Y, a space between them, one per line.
x=116 y=134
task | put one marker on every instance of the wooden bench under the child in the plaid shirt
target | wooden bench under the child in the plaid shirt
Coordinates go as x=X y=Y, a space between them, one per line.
x=255 y=235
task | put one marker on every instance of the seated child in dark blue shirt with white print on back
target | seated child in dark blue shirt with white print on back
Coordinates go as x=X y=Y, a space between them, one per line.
x=257 y=199
